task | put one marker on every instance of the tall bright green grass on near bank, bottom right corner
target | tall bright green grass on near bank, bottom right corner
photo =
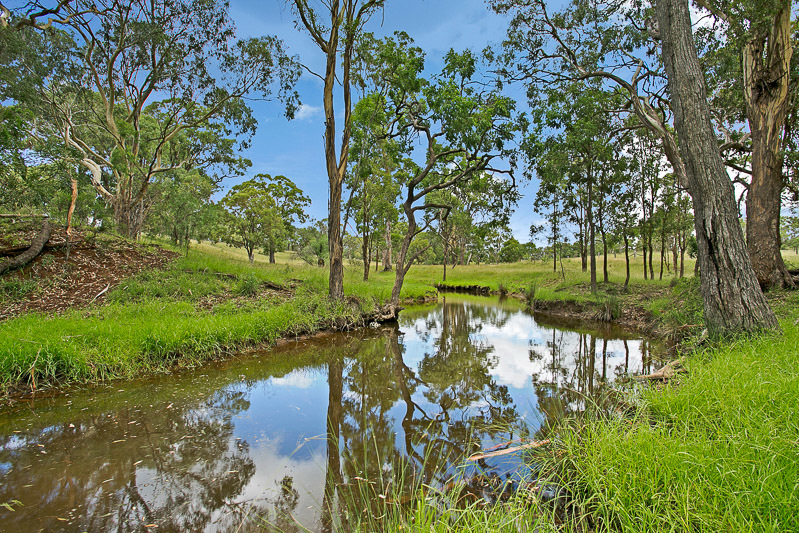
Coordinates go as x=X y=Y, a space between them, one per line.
x=719 y=451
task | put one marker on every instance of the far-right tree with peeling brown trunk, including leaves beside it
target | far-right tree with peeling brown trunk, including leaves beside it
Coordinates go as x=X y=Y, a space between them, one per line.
x=754 y=40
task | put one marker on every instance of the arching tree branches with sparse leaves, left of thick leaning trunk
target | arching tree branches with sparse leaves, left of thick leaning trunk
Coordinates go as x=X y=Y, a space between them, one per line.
x=602 y=40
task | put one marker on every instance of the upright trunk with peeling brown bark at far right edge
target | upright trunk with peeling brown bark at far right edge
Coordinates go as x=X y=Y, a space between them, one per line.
x=766 y=94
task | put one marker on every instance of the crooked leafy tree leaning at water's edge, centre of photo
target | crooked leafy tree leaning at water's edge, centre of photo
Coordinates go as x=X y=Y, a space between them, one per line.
x=450 y=129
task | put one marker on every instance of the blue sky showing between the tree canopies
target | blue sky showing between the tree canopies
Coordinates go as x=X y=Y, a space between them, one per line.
x=295 y=148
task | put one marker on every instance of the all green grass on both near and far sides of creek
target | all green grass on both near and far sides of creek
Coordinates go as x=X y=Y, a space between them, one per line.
x=717 y=451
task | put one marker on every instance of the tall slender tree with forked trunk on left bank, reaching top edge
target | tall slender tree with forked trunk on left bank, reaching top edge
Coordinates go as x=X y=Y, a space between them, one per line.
x=334 y=26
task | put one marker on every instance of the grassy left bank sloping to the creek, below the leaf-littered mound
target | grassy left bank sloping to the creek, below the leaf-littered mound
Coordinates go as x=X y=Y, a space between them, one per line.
x=206 y=305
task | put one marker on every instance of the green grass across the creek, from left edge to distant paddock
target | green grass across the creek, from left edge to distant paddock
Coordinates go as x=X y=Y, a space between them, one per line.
x=212 y=302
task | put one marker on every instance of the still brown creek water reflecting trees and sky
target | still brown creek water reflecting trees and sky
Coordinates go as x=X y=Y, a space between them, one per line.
x=244 y=444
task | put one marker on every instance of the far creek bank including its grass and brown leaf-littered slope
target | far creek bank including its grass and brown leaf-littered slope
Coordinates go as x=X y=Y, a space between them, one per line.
x=138 y=315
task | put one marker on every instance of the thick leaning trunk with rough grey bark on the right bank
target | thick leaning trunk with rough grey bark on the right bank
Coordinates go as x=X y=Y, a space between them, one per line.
x=733 y=301
